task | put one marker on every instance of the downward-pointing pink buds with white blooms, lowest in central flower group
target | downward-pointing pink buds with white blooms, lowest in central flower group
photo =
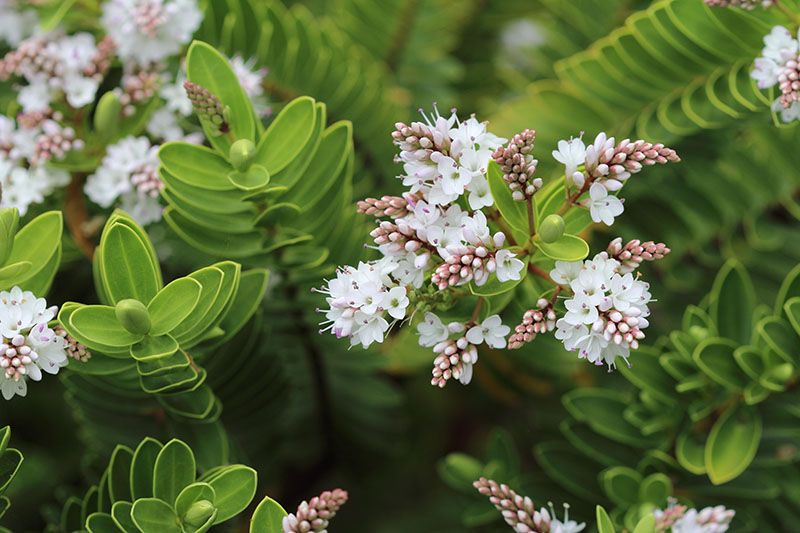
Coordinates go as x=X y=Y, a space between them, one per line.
x=457 y=356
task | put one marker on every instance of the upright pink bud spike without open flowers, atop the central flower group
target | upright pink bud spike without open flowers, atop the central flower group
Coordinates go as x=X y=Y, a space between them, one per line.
x=518 y=165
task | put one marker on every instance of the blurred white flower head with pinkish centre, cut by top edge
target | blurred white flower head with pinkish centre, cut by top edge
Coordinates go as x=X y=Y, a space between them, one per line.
x=149 y=31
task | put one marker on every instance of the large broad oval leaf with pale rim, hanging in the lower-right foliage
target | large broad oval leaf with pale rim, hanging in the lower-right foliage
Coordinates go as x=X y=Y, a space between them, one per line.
x=732 y=443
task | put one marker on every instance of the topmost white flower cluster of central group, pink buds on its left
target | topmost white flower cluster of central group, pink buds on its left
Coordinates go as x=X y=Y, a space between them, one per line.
x=445 y=158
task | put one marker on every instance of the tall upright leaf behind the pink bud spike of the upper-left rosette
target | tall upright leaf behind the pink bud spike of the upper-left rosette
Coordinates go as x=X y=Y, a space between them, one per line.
x=208 y=68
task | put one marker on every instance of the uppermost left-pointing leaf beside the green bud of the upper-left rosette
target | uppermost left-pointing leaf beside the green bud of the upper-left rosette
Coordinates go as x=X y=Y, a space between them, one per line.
x=197 y=166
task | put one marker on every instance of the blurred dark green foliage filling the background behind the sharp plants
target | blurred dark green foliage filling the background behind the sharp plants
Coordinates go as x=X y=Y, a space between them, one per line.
x=309 y=414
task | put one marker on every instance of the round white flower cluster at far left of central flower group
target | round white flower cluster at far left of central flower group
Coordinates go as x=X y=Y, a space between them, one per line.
x=359 y=300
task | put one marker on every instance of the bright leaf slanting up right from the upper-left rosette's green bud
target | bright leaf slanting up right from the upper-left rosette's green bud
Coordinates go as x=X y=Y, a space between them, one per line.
x=287 y=135
